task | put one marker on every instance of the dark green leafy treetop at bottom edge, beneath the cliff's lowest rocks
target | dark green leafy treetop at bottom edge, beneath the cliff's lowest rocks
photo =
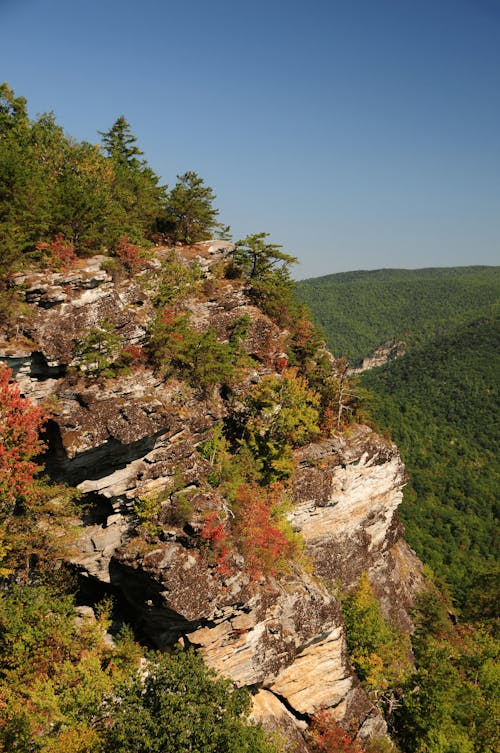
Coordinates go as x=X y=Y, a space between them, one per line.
x=181 y=706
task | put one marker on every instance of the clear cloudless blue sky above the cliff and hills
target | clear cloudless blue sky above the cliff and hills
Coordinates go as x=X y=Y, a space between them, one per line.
x=359 y=133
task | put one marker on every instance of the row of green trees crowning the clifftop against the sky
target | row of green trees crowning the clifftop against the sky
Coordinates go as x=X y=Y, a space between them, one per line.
x=52 y=186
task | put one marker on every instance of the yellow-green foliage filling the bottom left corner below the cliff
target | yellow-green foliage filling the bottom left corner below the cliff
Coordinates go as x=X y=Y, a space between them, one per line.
x=54 y=672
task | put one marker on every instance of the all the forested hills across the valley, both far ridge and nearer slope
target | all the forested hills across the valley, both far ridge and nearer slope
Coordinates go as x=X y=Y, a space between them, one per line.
x=439 y=402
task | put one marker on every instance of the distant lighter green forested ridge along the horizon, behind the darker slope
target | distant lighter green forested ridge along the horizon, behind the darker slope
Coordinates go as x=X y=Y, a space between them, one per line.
x=359 y=311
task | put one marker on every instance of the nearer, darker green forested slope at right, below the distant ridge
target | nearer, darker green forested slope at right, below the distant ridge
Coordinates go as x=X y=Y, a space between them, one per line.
x=440 y=403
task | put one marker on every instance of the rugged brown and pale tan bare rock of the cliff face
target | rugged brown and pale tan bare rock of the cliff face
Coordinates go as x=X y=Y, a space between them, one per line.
x=136 y=435
